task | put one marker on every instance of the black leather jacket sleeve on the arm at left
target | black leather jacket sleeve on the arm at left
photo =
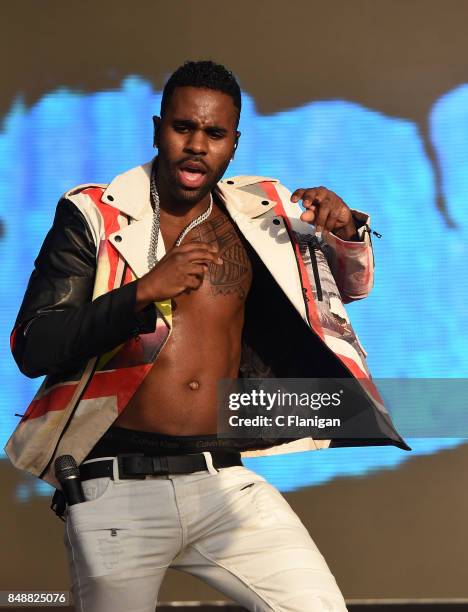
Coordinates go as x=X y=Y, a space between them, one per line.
x=59 y=326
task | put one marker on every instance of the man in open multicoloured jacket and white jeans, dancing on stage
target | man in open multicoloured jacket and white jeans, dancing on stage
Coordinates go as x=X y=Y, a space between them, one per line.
x=146 y=293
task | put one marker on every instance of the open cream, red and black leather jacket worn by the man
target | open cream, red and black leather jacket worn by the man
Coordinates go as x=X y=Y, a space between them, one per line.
x=77 y=323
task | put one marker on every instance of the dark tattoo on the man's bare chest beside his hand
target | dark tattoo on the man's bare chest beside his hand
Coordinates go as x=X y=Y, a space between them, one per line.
x=234 y=276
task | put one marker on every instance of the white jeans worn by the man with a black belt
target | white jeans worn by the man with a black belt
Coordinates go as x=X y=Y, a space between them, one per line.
x=230 y=528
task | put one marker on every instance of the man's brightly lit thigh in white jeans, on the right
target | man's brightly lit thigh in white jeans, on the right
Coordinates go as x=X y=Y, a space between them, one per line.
x=259 y=553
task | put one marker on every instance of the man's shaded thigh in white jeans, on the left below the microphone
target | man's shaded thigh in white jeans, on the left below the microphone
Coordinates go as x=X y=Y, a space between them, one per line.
x=120 y=543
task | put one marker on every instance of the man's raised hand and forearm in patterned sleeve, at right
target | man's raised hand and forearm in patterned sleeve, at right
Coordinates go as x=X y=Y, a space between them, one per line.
x=347 y=232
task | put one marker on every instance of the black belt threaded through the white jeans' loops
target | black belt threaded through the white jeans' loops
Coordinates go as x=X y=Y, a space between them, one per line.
x=138 y=466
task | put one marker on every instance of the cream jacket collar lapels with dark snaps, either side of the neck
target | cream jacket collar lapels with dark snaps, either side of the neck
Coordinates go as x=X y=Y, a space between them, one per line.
x=129 y=192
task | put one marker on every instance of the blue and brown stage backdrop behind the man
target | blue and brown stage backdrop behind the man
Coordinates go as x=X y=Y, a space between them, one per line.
x=367 y=98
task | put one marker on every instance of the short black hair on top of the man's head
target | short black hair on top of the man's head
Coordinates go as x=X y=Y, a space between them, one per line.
x=205 y=74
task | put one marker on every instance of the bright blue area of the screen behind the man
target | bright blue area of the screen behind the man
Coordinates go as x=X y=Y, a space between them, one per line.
x=412 y=324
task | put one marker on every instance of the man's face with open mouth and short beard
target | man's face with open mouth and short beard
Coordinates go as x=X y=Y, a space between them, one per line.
x=196 y=140
